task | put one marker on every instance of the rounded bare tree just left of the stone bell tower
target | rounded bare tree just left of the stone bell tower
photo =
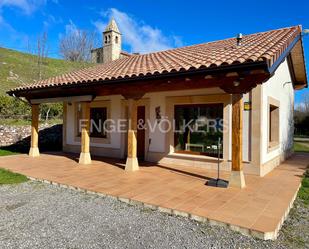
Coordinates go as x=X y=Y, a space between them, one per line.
x=77 y=45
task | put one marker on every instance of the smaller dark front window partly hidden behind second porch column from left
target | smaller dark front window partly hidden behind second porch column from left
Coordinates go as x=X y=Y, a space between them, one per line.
x=98 y=116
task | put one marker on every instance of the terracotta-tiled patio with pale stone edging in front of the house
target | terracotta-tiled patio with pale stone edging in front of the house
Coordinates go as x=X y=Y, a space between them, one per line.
x=259 y=209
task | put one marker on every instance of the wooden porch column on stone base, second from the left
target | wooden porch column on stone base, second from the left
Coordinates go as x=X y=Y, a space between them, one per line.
x=84 y=126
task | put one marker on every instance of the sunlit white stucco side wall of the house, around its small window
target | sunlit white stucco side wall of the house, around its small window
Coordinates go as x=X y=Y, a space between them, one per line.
x=280 y=88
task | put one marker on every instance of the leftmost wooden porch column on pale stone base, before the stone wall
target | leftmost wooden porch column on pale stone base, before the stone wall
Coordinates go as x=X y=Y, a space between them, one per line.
x=34 y=149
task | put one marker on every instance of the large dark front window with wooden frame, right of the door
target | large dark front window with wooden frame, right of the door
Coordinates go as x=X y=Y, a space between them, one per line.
x=198 y=129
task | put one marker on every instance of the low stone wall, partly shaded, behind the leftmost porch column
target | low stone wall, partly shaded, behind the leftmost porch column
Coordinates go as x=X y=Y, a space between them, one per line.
x=18 y=137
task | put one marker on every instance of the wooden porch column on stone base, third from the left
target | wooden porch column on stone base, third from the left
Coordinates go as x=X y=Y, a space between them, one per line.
x=132 y=162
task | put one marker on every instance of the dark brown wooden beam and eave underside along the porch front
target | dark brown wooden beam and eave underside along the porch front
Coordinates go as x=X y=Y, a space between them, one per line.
x=247 y=80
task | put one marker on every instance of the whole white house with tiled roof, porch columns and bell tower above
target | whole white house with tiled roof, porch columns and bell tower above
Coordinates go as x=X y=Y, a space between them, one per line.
x=231 y=99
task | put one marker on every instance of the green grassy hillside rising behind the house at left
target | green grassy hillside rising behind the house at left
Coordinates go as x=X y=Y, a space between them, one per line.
x=17 y=68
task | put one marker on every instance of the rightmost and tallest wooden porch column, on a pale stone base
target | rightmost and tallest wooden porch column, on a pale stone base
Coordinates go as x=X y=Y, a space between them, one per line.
x=237 y=178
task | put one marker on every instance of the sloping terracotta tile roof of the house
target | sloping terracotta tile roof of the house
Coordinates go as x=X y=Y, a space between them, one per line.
x=264 y=46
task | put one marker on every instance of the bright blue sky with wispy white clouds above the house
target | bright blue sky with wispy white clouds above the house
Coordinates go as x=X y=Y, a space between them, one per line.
x=147 y=25
